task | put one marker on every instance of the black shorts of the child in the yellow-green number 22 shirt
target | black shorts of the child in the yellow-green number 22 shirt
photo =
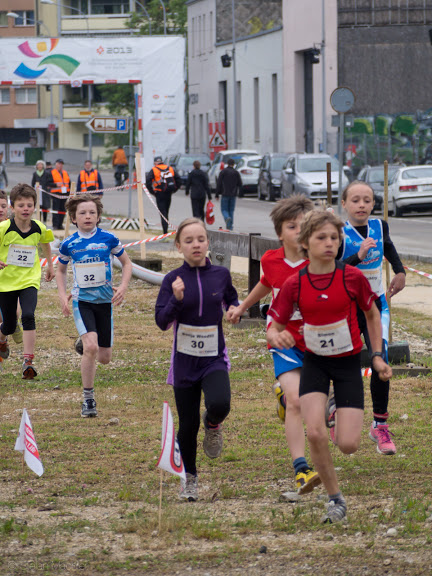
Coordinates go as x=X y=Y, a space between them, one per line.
x=8 y=306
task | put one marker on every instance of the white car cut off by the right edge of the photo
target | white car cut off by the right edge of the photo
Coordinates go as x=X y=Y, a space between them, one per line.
x=411 y=190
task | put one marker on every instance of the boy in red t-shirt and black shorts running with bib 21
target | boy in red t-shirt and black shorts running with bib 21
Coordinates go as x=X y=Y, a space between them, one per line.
x=327 y=293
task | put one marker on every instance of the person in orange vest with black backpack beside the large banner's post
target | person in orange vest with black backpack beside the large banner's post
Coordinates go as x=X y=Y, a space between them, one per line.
x=162 y=181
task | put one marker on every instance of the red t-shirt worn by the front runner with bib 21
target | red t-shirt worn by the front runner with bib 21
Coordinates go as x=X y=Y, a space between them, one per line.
x=327 y=300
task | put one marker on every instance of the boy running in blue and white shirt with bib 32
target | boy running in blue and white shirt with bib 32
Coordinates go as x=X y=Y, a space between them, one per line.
x=90 y=250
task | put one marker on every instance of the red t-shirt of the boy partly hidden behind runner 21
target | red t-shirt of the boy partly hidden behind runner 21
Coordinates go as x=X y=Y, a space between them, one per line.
x=276 y=270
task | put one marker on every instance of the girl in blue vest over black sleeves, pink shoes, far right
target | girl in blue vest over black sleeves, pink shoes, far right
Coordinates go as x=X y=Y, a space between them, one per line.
x=366 y=242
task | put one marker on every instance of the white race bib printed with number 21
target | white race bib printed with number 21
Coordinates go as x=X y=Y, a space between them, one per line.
x=328 y=340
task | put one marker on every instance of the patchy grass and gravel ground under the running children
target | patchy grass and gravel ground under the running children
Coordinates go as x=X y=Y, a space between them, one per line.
x=102 y=484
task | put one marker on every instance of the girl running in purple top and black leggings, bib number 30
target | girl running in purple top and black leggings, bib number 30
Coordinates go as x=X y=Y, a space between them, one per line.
x=191 y=299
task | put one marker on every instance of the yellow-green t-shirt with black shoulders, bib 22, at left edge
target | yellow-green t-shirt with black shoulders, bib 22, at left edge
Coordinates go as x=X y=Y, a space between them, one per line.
x=19 y=250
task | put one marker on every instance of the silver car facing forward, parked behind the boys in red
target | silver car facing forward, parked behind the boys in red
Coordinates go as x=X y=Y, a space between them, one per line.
x=307 y=174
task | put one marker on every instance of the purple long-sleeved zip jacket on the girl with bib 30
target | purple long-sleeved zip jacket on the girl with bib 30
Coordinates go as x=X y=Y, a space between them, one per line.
x=207 y=290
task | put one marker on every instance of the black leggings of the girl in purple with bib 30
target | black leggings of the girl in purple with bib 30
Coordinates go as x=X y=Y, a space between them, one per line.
x=217 y=400
